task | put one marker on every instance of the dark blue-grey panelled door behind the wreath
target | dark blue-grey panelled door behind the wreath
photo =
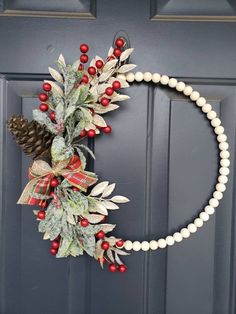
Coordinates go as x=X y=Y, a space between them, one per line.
x=161 y=154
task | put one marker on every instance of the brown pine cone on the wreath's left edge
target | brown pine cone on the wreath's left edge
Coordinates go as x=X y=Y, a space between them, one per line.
x=32 y=137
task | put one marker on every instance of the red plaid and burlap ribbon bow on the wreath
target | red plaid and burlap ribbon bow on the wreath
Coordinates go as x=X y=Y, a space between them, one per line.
x=41 y=173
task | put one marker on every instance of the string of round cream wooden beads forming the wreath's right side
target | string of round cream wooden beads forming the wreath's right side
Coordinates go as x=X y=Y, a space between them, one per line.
x=224 y=155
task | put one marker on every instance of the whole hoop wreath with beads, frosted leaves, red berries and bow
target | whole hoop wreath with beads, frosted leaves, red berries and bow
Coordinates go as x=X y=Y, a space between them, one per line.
x=73 y=206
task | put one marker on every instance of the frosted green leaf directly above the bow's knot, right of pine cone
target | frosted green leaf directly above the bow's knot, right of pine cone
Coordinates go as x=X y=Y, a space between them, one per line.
x=59 y=150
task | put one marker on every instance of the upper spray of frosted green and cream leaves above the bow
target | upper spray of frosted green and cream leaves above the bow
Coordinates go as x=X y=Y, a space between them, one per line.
x=71 y=100
